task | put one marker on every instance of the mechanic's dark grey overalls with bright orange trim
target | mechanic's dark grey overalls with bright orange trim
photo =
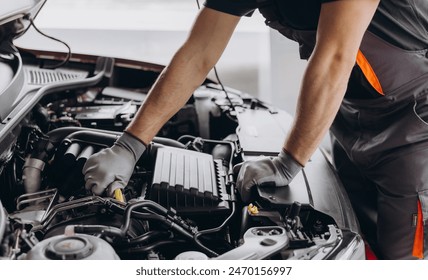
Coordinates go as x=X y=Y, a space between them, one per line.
x=381 y=133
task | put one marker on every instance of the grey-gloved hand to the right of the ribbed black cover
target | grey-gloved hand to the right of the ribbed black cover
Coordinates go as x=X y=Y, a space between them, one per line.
x=266 y=171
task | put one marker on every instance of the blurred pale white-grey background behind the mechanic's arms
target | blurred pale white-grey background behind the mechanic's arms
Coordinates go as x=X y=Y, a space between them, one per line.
x=258 y=60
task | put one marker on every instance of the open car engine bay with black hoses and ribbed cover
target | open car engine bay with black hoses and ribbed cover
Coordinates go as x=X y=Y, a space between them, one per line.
x=181 y=201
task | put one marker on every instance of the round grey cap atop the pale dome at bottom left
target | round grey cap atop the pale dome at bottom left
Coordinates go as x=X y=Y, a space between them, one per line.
x=69 y=248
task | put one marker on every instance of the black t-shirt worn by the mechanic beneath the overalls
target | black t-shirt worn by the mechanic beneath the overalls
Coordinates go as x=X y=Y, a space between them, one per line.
x=403 y=23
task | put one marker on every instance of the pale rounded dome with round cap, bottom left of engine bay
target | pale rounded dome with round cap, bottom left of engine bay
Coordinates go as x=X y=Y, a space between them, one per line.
x=76 y=247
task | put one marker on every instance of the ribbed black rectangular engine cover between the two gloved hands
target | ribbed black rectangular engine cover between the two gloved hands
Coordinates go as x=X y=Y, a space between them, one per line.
x=189 y=181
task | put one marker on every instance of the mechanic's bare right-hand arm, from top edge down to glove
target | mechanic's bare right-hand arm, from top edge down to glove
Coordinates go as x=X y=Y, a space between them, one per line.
x=340 y=30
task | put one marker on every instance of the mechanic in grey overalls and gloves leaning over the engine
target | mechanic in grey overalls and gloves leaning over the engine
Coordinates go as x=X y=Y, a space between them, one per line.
x=366 y=79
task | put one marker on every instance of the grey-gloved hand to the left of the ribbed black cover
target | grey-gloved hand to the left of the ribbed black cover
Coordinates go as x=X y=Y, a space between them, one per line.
x=111 y=168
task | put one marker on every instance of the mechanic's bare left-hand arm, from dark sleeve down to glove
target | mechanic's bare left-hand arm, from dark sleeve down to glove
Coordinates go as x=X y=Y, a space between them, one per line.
x=187 y=70
